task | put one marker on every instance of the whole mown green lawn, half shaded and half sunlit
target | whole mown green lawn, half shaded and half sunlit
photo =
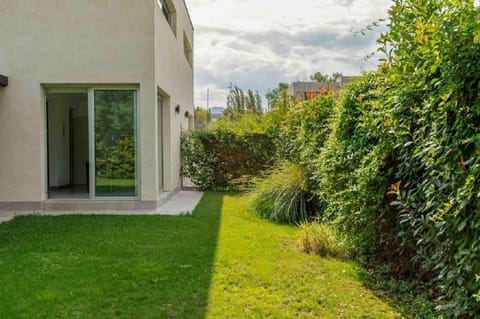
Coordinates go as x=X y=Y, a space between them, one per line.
x=222 y=262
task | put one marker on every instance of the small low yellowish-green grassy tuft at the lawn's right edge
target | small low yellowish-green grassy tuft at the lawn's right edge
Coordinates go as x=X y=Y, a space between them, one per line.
x=322 y=239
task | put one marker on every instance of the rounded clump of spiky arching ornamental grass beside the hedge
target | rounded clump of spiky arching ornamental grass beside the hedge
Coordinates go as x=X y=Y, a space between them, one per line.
x=282 y=196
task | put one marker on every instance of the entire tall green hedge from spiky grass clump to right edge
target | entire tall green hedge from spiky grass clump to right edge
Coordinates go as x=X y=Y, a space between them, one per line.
x=401 y=168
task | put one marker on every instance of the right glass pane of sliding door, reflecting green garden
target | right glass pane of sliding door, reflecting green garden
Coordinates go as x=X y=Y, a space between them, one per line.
x=115 y=143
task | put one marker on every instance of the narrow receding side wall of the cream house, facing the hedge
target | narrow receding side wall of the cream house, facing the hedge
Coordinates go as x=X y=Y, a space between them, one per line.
x=174 y=80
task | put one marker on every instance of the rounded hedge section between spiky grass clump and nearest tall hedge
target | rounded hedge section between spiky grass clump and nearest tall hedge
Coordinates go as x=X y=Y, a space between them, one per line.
x=353 y=169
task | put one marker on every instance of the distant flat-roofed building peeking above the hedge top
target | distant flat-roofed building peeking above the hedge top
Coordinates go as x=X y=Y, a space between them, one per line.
x=303 y=91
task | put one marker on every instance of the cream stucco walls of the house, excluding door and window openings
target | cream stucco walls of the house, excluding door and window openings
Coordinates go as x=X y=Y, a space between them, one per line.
x=88 y=42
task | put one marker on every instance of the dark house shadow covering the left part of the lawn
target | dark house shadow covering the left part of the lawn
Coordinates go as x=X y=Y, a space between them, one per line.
x=110 y=266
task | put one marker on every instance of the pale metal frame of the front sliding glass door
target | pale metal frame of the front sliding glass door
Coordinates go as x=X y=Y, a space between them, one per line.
x=90 y=90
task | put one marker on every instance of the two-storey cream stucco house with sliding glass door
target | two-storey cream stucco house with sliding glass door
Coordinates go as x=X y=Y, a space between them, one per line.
x=98 y=93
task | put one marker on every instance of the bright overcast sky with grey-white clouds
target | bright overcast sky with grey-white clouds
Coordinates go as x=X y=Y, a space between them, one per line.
x=258 y=43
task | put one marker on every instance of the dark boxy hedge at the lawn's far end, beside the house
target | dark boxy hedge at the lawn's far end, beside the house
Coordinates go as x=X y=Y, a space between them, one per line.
x=224 y=159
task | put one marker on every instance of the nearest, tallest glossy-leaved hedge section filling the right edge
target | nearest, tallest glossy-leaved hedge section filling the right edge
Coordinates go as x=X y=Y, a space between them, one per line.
x=433 y=66
